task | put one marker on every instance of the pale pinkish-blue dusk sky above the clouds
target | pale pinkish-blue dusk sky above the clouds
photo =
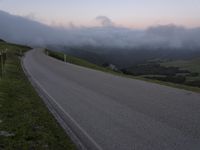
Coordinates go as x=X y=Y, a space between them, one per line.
x=127 y=13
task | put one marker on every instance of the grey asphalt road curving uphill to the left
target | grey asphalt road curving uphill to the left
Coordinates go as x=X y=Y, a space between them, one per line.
x=115 y=113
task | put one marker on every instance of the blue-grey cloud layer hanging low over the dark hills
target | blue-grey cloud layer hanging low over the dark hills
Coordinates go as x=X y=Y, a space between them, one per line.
x=25 y=31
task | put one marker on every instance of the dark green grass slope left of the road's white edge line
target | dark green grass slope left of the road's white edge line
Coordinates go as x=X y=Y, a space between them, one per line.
x=23 y=114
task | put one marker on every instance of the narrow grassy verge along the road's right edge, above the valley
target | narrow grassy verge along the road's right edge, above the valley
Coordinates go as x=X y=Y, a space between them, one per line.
x=87 y=64
